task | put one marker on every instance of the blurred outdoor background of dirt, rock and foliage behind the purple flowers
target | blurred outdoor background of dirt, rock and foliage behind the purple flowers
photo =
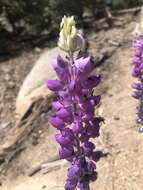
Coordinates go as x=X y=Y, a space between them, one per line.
x=28 y=32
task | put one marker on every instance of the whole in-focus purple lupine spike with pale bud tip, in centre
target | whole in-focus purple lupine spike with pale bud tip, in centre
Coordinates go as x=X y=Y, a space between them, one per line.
x=74 y=108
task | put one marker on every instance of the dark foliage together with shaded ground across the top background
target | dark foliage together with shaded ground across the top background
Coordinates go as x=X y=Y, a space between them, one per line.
x=34 y=21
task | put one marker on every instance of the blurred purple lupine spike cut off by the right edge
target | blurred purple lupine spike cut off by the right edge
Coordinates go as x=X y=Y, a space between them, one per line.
x=138 y=72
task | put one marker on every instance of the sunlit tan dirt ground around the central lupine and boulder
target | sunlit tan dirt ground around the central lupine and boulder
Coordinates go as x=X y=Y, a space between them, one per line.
x=122 y=169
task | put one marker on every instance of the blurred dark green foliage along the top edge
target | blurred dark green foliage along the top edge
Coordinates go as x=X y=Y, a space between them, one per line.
x=34 y=17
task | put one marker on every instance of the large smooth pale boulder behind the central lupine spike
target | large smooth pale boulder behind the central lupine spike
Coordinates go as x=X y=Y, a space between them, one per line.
x=34 y=86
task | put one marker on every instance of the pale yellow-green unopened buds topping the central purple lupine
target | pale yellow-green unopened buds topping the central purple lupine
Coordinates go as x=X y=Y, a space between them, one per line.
x=69 y=37
